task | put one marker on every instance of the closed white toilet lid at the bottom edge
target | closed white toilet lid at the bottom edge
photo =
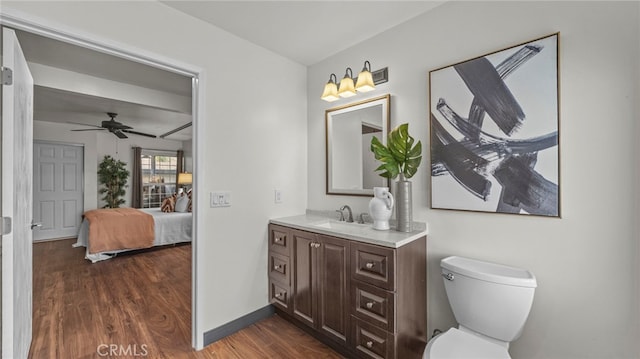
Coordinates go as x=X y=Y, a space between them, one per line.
x=456 y=344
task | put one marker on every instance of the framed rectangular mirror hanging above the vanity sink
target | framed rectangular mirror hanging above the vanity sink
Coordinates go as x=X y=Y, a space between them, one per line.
x=350 y=163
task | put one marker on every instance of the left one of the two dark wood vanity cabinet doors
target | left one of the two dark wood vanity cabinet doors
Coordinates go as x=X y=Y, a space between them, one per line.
x=305 y=280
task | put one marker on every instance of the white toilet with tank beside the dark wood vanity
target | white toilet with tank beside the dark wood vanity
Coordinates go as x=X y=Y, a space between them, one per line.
x=491 y=303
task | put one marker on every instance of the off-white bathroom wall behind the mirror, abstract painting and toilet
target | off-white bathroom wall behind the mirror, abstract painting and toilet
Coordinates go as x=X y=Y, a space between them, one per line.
x=586 y=263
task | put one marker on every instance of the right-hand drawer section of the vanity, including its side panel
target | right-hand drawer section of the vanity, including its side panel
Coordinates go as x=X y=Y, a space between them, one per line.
x=389 y=300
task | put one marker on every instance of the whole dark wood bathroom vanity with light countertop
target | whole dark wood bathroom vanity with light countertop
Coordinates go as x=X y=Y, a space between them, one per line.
x=359 y=290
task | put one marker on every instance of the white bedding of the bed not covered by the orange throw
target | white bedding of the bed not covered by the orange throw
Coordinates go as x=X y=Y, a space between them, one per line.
x=167 y=228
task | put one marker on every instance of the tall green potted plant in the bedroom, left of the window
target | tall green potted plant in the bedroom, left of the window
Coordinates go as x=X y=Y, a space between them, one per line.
x=113 y=174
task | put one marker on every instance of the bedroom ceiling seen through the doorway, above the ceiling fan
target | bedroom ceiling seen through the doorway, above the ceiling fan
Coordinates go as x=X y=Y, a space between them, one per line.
x=53 y=104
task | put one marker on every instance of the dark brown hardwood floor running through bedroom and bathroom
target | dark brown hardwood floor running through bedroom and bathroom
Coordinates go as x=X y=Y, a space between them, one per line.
x=137 y=305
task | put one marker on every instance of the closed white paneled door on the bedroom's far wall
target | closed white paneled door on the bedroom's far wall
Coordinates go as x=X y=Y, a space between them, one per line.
x=57 y=189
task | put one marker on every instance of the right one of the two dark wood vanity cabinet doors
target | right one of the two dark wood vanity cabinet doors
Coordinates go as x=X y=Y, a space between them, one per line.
x=333 y=287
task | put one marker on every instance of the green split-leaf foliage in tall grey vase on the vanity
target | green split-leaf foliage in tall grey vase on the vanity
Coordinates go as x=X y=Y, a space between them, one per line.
x=401 y=158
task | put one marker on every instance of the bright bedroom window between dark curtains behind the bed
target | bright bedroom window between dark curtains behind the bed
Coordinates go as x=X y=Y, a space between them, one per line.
x=158 y=177
